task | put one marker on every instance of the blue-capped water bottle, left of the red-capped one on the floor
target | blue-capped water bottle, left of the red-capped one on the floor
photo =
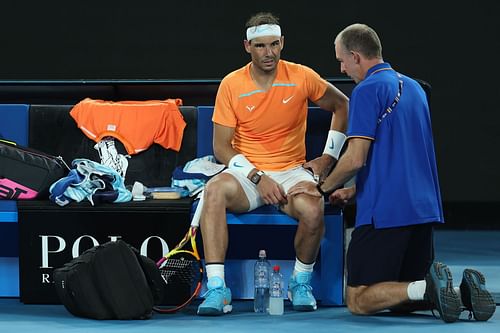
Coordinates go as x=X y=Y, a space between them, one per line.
x=261 y=283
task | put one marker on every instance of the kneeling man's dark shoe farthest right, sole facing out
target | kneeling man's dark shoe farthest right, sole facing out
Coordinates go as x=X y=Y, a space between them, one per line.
x=475 y=297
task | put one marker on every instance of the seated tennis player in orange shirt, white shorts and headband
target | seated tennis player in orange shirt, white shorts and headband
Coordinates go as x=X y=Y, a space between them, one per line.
x=259 y=133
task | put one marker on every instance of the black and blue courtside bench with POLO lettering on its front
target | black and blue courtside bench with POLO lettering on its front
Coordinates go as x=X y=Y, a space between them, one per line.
x=49 y=235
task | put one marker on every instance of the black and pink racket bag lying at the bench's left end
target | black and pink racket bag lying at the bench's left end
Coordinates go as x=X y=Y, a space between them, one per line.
x=26 y=173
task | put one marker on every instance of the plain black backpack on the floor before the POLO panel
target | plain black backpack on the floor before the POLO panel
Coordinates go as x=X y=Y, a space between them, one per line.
x=110 y=281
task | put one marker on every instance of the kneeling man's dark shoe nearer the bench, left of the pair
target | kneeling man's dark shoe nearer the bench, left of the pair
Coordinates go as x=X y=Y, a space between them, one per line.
x=444 y=297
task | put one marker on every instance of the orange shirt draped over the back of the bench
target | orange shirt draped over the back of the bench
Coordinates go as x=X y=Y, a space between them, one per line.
x=137 y=124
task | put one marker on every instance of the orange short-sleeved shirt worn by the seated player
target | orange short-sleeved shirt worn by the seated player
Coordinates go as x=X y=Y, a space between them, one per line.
x=270 y=126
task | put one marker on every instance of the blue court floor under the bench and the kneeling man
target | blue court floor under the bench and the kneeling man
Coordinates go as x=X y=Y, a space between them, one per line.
x=458 y=249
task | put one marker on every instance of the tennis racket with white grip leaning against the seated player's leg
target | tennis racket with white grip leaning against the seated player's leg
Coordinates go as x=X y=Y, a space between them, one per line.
x=181 y=268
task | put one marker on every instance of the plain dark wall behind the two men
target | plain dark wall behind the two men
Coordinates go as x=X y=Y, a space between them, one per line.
x=452 y=46
